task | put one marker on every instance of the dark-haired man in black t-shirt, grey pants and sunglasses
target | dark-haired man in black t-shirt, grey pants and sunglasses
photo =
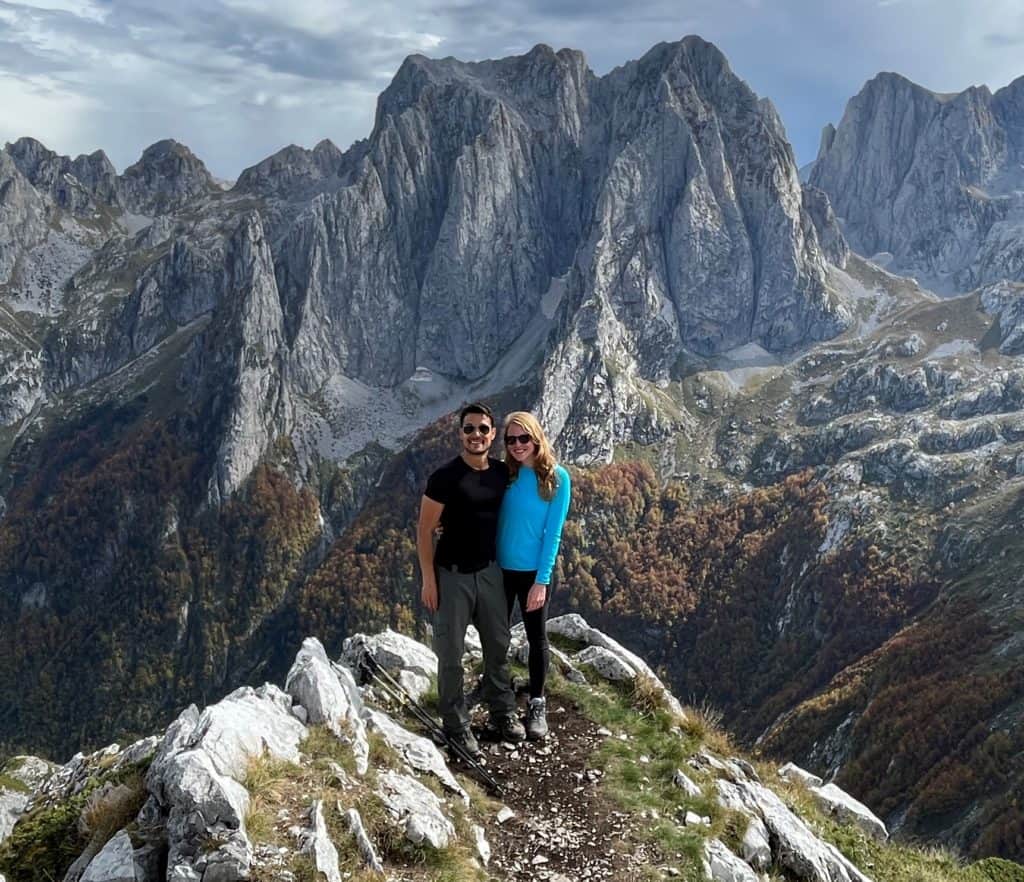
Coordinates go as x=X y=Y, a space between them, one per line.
x=462 y=582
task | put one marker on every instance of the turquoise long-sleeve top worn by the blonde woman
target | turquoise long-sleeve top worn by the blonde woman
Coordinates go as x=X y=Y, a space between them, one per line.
x=530 y=529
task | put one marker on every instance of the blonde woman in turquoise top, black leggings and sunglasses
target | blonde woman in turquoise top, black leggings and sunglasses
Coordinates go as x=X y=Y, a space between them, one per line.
x=530 y=530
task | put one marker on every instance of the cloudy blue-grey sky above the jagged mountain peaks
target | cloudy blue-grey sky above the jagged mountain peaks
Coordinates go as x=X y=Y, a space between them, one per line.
x=237 y=80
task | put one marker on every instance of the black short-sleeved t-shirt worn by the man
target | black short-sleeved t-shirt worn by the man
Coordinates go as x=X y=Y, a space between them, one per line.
x=473 y=499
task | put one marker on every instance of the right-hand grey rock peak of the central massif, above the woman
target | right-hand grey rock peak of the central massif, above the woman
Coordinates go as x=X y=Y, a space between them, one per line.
x=701 y=242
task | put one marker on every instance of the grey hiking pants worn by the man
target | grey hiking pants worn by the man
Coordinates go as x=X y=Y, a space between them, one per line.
x=477 y=599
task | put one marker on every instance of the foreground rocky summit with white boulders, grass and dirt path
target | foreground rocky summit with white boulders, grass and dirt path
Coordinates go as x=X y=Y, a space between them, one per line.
x=275 y=784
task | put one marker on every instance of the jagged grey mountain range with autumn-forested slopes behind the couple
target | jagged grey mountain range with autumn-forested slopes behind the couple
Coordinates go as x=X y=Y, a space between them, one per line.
x=798 y=469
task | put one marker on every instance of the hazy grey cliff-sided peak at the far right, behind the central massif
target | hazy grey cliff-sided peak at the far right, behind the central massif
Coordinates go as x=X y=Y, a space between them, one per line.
x=931 y=180
